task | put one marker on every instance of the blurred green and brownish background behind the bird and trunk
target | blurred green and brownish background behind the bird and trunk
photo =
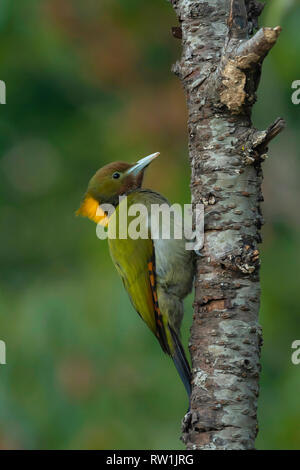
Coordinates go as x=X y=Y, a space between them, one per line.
x=88 y=83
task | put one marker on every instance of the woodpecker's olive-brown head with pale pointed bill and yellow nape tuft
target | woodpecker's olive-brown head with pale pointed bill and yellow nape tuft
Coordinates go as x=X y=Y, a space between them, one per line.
x=110 y=182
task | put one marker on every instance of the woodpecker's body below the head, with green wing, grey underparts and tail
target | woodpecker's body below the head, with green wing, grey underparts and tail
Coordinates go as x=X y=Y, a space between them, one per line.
x=172 y=268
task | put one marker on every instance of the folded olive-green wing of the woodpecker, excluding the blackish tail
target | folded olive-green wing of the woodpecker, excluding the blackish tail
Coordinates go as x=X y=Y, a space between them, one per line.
x=135 y=262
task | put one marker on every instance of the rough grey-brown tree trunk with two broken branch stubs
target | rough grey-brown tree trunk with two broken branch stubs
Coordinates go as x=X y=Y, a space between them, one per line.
x=220 y=71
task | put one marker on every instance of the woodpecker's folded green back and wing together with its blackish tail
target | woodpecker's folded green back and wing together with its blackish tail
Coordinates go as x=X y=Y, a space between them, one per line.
x=135 y=262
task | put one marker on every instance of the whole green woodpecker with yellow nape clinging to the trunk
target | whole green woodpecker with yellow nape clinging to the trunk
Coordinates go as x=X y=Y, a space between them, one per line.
x=157 y=273
